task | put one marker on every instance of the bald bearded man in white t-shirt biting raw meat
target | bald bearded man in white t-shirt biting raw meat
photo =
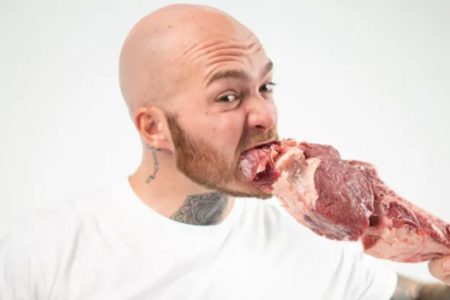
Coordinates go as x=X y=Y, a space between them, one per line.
x=198 y=86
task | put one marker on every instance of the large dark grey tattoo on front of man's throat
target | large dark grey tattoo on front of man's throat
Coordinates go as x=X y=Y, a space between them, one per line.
x=202 y=209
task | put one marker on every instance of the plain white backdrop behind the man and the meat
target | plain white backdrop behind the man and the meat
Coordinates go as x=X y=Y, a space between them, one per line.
x=371 y=78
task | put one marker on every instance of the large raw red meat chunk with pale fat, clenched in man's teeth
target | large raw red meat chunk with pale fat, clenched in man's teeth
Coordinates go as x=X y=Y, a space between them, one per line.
x=345 y=200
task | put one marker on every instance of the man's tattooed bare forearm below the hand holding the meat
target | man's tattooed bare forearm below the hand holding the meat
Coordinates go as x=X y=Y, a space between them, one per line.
x=409 y=289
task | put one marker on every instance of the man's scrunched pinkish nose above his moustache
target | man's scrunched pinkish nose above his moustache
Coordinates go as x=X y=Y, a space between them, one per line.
x=262 y=114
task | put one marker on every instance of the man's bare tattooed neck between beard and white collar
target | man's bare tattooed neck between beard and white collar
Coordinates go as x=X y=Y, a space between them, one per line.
x=172 y=194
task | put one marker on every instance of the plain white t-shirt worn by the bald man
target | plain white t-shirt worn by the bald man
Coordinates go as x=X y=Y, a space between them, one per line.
x=107 y=244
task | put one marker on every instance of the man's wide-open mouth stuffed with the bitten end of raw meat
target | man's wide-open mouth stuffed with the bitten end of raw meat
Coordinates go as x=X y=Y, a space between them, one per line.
x=258 y=165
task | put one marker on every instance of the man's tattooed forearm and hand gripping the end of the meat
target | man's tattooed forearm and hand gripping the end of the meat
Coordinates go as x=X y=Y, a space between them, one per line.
x=408 y=289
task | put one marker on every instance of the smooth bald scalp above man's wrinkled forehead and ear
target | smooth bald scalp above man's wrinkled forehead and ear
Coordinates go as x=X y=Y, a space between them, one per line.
x=153 y=61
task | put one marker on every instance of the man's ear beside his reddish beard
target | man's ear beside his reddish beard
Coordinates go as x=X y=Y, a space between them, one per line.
x=152 y=126
